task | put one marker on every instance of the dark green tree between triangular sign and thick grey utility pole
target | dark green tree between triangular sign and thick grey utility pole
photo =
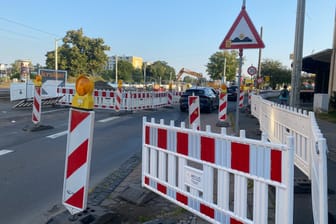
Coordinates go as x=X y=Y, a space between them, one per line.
x=278 y=73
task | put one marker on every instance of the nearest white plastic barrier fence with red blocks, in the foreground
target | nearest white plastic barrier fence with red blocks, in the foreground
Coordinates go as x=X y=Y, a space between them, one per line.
x=209 y=173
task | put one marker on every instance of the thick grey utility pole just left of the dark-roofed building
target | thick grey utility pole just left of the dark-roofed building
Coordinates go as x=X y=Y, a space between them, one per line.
x=297 y=62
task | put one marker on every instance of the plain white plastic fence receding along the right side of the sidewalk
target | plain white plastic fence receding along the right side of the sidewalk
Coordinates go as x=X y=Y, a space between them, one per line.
x=310 y=147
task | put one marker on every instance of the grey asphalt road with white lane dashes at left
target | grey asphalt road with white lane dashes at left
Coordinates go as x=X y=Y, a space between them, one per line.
x=32 y=163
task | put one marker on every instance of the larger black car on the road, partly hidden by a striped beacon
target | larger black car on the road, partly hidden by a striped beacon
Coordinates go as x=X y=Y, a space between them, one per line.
x=209 y=99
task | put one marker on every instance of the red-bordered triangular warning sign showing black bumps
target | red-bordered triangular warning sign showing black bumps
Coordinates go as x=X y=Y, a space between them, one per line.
x=242 y=34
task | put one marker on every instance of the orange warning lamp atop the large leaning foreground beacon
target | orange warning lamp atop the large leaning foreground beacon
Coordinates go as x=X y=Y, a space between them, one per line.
x=83 y=98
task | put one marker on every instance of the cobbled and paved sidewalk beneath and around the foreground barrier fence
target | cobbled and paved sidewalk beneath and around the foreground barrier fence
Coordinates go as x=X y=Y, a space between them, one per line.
x=121 y=199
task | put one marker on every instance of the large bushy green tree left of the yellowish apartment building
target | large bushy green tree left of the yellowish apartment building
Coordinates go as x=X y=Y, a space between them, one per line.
x=79 y=54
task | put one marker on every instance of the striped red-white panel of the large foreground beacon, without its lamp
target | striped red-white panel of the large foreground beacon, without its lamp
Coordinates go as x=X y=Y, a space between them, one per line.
x=78 y=156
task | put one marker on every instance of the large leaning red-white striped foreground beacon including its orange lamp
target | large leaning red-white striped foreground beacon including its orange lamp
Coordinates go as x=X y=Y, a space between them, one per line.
x=78 y=148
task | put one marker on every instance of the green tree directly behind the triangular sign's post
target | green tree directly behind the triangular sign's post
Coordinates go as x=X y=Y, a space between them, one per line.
x=215 y=67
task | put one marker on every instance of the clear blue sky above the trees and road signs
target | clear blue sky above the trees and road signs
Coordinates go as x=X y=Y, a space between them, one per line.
x=184 y=33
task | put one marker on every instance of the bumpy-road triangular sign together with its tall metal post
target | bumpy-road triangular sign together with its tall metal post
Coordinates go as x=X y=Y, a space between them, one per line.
x=241 y=35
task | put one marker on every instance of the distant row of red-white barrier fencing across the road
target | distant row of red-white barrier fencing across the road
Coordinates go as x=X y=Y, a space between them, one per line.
x=105 y=99
